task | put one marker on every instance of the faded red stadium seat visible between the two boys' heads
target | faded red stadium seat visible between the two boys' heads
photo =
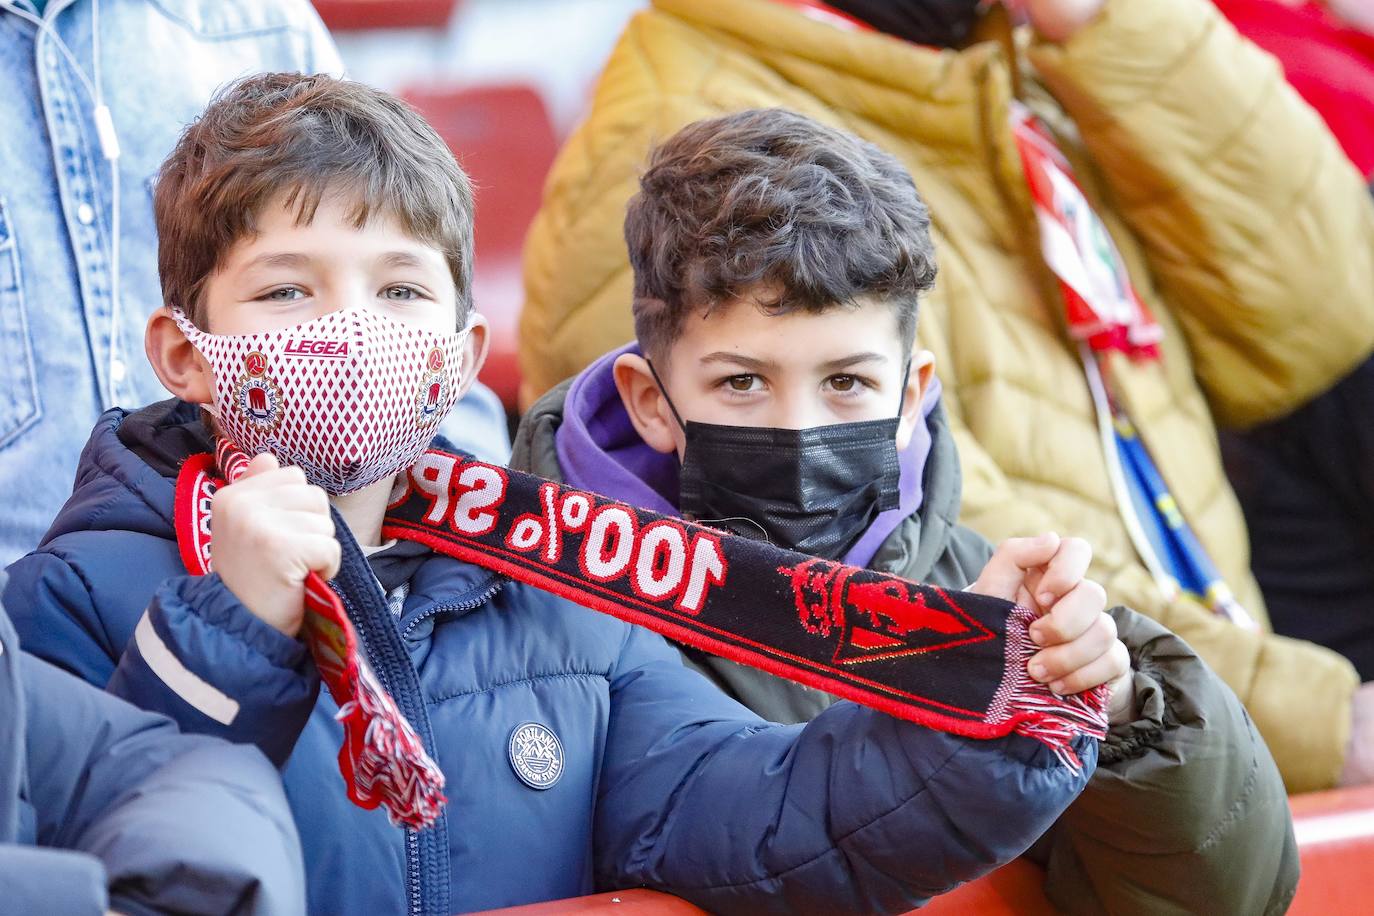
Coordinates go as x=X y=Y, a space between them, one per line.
x=505 y=141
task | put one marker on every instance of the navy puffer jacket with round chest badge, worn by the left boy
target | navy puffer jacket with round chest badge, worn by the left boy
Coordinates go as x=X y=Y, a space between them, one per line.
x=667 y=782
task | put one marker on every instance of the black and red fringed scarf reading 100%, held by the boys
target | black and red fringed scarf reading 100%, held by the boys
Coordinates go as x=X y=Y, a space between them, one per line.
x=950 y=661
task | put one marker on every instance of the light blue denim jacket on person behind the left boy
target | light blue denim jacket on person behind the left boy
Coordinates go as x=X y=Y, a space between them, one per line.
x=63 y=359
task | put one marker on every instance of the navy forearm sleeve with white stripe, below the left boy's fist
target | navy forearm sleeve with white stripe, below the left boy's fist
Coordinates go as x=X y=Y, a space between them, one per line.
x=200 y=657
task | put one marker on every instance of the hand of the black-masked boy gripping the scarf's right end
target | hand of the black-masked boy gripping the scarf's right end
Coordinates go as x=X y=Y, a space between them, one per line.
x=1079 y=649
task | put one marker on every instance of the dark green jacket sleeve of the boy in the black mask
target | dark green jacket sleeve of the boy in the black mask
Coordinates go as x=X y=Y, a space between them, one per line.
x=1186 y=812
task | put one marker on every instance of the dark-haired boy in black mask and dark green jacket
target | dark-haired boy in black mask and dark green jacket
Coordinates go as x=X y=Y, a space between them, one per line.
x=776 y=391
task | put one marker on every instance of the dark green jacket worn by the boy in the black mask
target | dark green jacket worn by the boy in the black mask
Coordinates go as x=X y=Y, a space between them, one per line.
x=1186 y=812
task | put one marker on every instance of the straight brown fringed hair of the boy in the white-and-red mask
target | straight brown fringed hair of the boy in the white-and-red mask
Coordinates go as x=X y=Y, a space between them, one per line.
x=297 y=138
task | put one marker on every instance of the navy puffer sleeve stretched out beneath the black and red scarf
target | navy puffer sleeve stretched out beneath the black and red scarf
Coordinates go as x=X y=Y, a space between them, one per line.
x=854 y=812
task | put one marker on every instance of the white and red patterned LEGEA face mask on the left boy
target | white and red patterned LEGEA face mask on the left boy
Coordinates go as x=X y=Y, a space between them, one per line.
x=351 y=398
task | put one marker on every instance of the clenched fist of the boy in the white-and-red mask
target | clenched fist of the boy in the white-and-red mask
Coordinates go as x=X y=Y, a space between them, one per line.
x=271 y=531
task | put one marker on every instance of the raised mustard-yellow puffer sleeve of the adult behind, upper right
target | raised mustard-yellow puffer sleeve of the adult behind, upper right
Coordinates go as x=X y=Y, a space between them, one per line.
x=1251 y=215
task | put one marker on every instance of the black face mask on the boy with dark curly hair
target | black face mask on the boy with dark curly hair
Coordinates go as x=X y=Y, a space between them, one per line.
x=813 y=491
